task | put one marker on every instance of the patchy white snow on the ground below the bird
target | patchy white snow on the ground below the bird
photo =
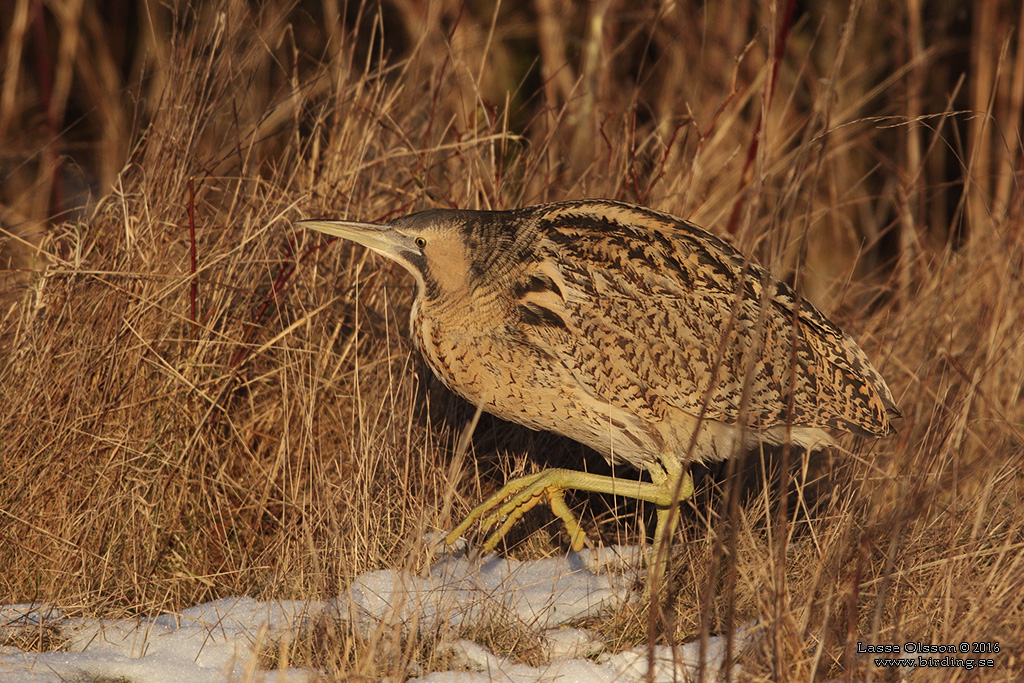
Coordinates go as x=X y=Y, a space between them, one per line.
x=220 y=642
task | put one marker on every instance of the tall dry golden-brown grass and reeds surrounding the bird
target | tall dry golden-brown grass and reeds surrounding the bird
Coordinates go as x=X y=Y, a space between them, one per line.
x=259 y=424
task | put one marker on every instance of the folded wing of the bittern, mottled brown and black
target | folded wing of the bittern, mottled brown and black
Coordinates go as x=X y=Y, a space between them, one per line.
x=666 y=314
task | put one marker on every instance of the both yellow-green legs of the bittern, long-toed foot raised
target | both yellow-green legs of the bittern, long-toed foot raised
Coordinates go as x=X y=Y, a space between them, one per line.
x=668 y=488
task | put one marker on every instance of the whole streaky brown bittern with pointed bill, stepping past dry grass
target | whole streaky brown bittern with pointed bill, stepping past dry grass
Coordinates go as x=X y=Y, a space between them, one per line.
x=631 y=331
